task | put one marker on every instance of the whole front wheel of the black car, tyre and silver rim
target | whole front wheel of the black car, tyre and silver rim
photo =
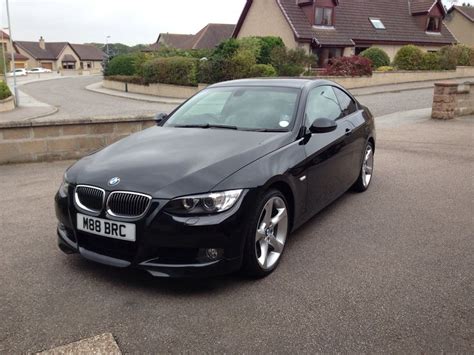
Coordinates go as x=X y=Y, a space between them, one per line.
x=267 y=236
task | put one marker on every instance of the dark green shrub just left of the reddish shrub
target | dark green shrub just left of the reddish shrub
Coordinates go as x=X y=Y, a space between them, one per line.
x=290 y=62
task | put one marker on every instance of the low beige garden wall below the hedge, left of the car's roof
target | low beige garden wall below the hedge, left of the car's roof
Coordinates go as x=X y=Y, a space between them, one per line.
x=161 y=90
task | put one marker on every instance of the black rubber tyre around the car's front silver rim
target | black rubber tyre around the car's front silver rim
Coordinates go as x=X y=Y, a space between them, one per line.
x=251 y=266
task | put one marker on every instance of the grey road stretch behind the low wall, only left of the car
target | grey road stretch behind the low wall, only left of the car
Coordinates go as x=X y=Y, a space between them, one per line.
x=74 y=101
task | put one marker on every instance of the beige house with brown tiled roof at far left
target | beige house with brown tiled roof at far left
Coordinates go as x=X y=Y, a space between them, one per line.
x=61 y=55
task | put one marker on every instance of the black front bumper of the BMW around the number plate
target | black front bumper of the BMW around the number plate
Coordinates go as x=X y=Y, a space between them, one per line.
x=166 y=245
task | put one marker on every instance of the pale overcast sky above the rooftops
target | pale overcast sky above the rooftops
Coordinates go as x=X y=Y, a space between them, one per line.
x=126 y=21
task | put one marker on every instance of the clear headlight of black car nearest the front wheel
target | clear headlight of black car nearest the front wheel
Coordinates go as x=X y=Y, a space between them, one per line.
x=214 y=202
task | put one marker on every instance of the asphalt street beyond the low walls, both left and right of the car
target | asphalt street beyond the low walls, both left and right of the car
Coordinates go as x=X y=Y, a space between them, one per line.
x=74 y=101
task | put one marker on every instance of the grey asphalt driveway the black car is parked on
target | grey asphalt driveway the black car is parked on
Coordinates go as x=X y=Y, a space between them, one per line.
x=389 y=270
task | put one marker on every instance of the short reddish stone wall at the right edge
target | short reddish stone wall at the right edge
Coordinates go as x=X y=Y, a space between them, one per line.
x=452 y=100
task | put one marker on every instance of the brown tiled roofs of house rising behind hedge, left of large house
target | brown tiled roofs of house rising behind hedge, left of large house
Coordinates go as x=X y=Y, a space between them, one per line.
x=207 y=38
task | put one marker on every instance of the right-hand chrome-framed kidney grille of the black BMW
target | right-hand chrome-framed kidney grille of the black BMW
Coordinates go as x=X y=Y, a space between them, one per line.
x=128 y=204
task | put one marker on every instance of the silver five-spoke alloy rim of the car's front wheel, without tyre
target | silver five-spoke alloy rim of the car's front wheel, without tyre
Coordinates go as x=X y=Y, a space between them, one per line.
x=272 y=230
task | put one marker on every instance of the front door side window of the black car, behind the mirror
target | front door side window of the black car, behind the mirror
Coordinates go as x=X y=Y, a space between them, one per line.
x=322 y=103
